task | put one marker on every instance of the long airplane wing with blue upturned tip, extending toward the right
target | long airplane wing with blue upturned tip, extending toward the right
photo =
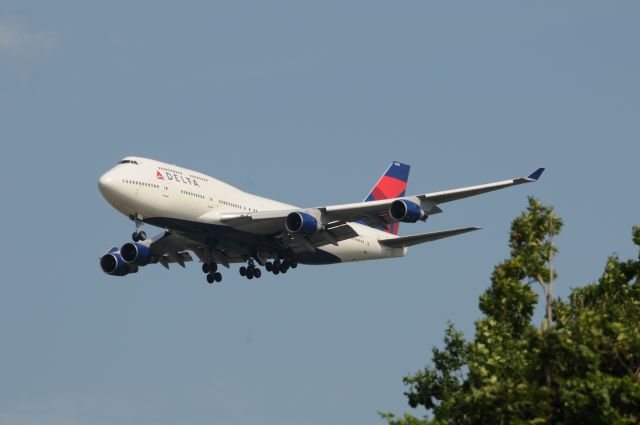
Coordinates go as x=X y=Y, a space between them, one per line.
x=374 y=213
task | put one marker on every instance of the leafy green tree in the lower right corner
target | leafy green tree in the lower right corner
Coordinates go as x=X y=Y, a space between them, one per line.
x=581 y=367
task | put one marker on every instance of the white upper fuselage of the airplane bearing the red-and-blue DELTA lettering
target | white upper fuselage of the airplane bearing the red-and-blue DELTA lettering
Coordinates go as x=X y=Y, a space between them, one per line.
x=161 y=194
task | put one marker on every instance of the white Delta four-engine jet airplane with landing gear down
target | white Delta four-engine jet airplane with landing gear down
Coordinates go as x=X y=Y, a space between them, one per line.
x=223 y=225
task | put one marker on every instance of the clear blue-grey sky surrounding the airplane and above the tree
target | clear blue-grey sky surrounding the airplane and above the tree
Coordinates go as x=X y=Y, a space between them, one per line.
x=306 y=103
